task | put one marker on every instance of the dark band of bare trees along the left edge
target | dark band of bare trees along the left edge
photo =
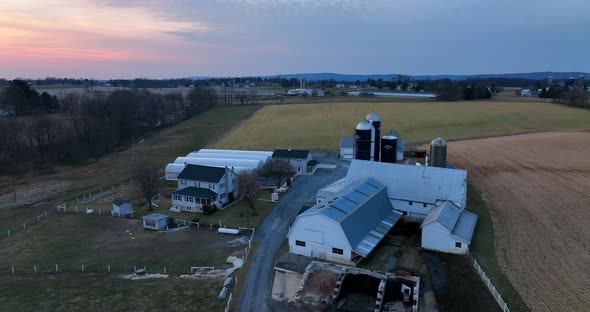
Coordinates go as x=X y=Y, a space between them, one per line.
x=86 y=125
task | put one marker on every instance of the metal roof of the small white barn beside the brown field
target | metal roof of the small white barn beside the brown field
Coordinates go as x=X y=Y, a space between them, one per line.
x=459 y=222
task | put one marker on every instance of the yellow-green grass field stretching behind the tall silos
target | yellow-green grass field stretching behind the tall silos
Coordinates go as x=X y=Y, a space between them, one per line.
x=320 y=124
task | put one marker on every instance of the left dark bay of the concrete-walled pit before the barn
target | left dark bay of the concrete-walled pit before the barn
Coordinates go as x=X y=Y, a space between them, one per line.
x=357 y=293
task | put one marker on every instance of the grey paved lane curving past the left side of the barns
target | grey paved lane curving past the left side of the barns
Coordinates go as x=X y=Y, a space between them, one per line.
x=256 y=289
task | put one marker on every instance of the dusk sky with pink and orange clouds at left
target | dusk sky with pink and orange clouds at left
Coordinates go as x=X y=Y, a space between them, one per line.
x=106 y=39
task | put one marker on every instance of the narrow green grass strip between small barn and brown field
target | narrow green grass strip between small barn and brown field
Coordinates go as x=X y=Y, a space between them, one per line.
x=483 y=249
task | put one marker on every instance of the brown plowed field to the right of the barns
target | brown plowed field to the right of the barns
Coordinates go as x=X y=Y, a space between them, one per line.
x=538 y=191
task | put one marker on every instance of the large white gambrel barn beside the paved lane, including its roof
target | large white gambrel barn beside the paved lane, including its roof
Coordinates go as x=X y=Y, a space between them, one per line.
x=345 y=228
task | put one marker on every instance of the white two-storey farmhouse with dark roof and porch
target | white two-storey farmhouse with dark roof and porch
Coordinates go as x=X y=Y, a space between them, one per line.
x=201 y=185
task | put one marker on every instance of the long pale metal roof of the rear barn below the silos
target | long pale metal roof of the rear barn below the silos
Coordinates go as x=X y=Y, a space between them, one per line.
x=413 y=183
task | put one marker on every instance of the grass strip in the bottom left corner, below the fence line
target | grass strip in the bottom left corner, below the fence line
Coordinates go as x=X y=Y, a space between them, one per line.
x=98 y=293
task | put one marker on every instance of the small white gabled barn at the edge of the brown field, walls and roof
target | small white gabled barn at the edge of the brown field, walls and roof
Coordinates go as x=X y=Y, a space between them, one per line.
x=448 y=228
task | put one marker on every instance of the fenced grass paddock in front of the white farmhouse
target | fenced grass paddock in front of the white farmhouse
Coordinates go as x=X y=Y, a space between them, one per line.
x=72 y=240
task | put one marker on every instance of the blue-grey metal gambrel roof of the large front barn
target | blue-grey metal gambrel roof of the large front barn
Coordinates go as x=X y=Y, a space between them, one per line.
x=364 y=213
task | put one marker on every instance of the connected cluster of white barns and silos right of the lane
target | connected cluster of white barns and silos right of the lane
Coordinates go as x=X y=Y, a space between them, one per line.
x=352 y=215
